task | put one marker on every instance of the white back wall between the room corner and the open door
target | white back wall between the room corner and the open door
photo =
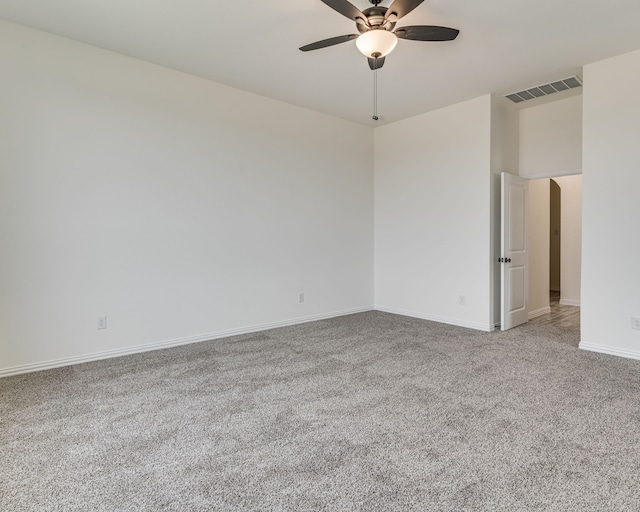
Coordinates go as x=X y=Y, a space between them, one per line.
x=432 y=215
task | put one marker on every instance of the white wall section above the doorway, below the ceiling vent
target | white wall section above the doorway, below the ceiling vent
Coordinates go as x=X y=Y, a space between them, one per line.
x=551 y=137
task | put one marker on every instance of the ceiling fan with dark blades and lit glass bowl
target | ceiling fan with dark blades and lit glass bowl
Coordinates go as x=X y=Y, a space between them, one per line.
x=377 y=37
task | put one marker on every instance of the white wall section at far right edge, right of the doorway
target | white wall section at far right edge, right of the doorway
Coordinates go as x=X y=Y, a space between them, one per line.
x=611 y=209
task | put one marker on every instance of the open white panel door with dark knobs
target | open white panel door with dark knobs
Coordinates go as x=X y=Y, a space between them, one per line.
x=514 y=301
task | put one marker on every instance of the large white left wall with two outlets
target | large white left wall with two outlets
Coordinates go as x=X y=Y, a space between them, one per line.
x=179 y=208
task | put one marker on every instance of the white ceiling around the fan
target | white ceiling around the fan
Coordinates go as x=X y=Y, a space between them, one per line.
x=504 y=46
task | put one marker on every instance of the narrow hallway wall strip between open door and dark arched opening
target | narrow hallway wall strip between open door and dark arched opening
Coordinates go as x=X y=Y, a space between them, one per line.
x=538 y=247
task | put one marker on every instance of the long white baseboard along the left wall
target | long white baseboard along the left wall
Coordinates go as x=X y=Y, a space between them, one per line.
x=137 y=349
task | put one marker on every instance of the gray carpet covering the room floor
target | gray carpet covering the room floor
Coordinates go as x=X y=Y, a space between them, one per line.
x=365 y=412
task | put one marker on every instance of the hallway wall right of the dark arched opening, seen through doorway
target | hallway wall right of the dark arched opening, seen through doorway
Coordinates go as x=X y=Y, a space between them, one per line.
x=571 y=241
